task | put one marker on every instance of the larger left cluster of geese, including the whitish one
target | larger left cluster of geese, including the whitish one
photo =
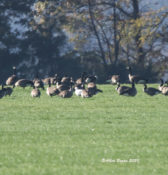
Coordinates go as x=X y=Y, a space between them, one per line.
x=64 y=87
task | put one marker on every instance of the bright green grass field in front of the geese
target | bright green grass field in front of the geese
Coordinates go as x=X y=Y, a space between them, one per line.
x=50 y=136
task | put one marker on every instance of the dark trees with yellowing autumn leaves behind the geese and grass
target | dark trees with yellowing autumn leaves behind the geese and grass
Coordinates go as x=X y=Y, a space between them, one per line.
x=69 y=36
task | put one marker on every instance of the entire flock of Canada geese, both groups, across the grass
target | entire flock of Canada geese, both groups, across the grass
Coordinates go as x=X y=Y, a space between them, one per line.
x=85 y=86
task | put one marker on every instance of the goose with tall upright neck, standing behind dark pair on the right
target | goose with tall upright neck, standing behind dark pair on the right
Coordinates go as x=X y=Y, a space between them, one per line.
x=135 y=78
